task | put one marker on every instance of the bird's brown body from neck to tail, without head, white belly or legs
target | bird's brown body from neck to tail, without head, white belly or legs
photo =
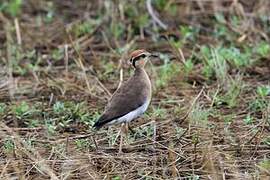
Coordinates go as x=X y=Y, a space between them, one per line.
x=131 y=95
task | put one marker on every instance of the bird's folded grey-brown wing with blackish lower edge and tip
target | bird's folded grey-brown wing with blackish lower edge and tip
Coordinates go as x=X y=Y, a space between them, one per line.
x=126 y=99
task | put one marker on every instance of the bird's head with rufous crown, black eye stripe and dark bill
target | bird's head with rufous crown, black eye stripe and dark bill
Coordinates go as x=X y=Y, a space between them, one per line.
x=138 y=58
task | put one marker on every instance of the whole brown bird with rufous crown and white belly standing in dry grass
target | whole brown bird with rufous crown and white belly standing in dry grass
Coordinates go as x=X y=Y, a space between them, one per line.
x=132 y=97
